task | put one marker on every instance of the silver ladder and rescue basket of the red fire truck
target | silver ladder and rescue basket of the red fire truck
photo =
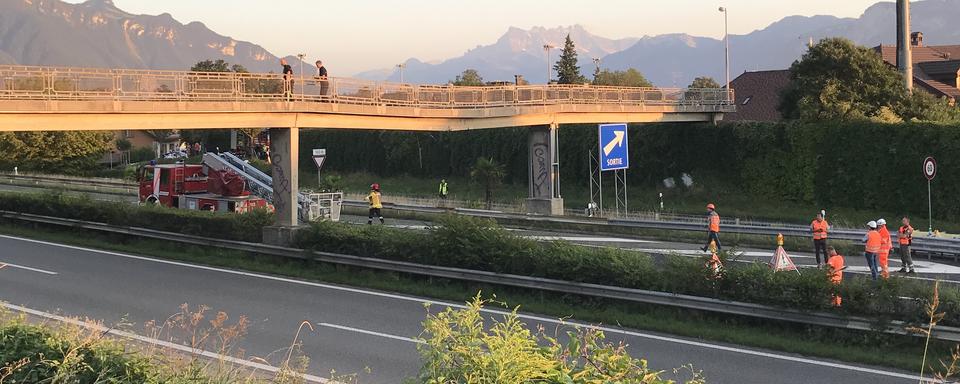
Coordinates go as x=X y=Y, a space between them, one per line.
x=261 y=185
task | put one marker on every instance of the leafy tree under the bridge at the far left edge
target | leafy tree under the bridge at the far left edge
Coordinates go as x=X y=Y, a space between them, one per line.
x=61 y=151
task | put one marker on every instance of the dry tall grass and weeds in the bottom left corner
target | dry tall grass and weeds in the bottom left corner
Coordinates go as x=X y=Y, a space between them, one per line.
x=87 y=352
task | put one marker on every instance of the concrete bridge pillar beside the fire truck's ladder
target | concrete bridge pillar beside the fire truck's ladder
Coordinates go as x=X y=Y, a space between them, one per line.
x=284 y=156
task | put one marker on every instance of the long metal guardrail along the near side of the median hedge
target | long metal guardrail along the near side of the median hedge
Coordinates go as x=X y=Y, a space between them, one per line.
x=594 y=290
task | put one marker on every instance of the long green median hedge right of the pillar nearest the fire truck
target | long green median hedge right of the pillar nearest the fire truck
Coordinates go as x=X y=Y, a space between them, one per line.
x=479 y=244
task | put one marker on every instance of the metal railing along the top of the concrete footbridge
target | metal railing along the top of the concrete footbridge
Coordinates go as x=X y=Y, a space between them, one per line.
x=61 y=83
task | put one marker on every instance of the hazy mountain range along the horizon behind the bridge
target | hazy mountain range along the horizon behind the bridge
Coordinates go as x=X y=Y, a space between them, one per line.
x=98 y=34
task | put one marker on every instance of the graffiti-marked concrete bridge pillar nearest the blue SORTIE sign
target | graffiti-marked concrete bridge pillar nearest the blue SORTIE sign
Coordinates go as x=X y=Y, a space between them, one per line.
x=544 y=172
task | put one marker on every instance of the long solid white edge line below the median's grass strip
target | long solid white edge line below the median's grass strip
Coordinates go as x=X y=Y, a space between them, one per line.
x=461 y=306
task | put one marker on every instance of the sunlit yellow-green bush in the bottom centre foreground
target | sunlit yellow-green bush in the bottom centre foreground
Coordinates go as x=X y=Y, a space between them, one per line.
x=460 y=348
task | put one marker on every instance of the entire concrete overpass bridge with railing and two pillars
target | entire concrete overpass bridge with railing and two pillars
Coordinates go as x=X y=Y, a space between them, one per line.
x=56 y=98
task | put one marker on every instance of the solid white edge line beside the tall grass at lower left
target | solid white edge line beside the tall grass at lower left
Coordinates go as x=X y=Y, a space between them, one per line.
x=165 y=344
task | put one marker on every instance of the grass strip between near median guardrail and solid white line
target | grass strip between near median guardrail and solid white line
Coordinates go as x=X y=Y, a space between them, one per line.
x=872 y=348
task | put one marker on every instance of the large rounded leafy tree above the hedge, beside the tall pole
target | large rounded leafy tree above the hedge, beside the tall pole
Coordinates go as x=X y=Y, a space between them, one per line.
x=838 y=80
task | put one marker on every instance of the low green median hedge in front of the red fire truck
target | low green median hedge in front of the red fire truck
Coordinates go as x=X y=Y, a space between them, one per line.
x=245 y=227
